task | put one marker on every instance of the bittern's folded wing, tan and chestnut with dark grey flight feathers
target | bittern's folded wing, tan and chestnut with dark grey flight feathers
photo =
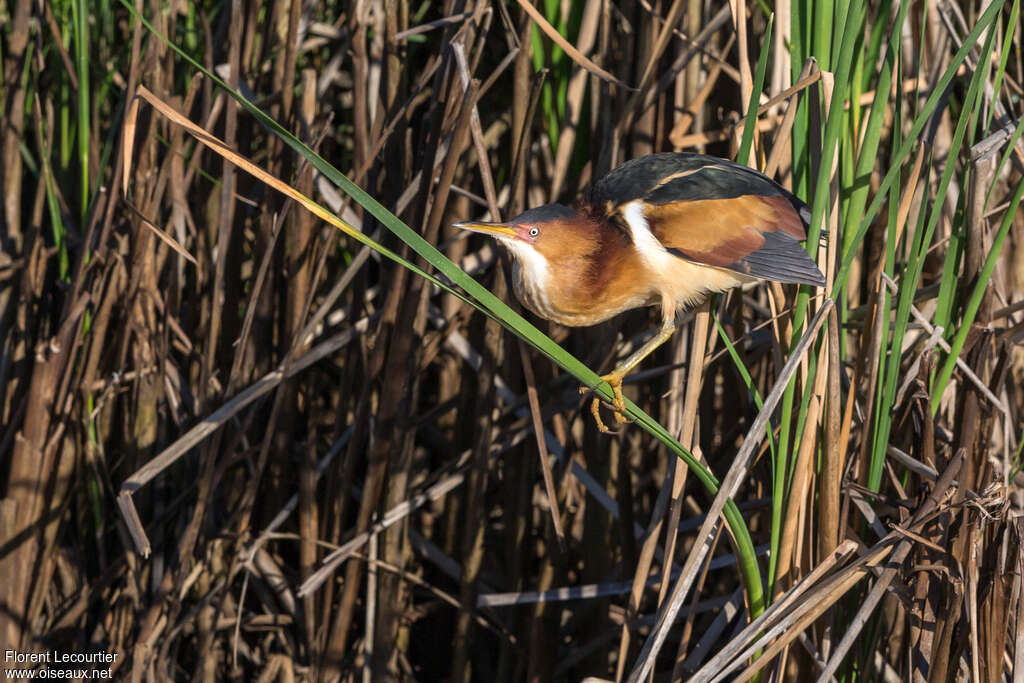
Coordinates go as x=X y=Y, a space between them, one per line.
x=754 y=235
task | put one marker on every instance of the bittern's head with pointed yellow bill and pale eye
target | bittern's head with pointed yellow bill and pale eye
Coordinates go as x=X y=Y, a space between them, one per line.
x=552 y=232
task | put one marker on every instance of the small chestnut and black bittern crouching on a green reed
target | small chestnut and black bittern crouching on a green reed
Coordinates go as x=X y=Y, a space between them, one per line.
x=664 y=230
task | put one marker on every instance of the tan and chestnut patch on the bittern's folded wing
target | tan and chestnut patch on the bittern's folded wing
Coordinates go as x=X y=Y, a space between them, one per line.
x=722 y=233
